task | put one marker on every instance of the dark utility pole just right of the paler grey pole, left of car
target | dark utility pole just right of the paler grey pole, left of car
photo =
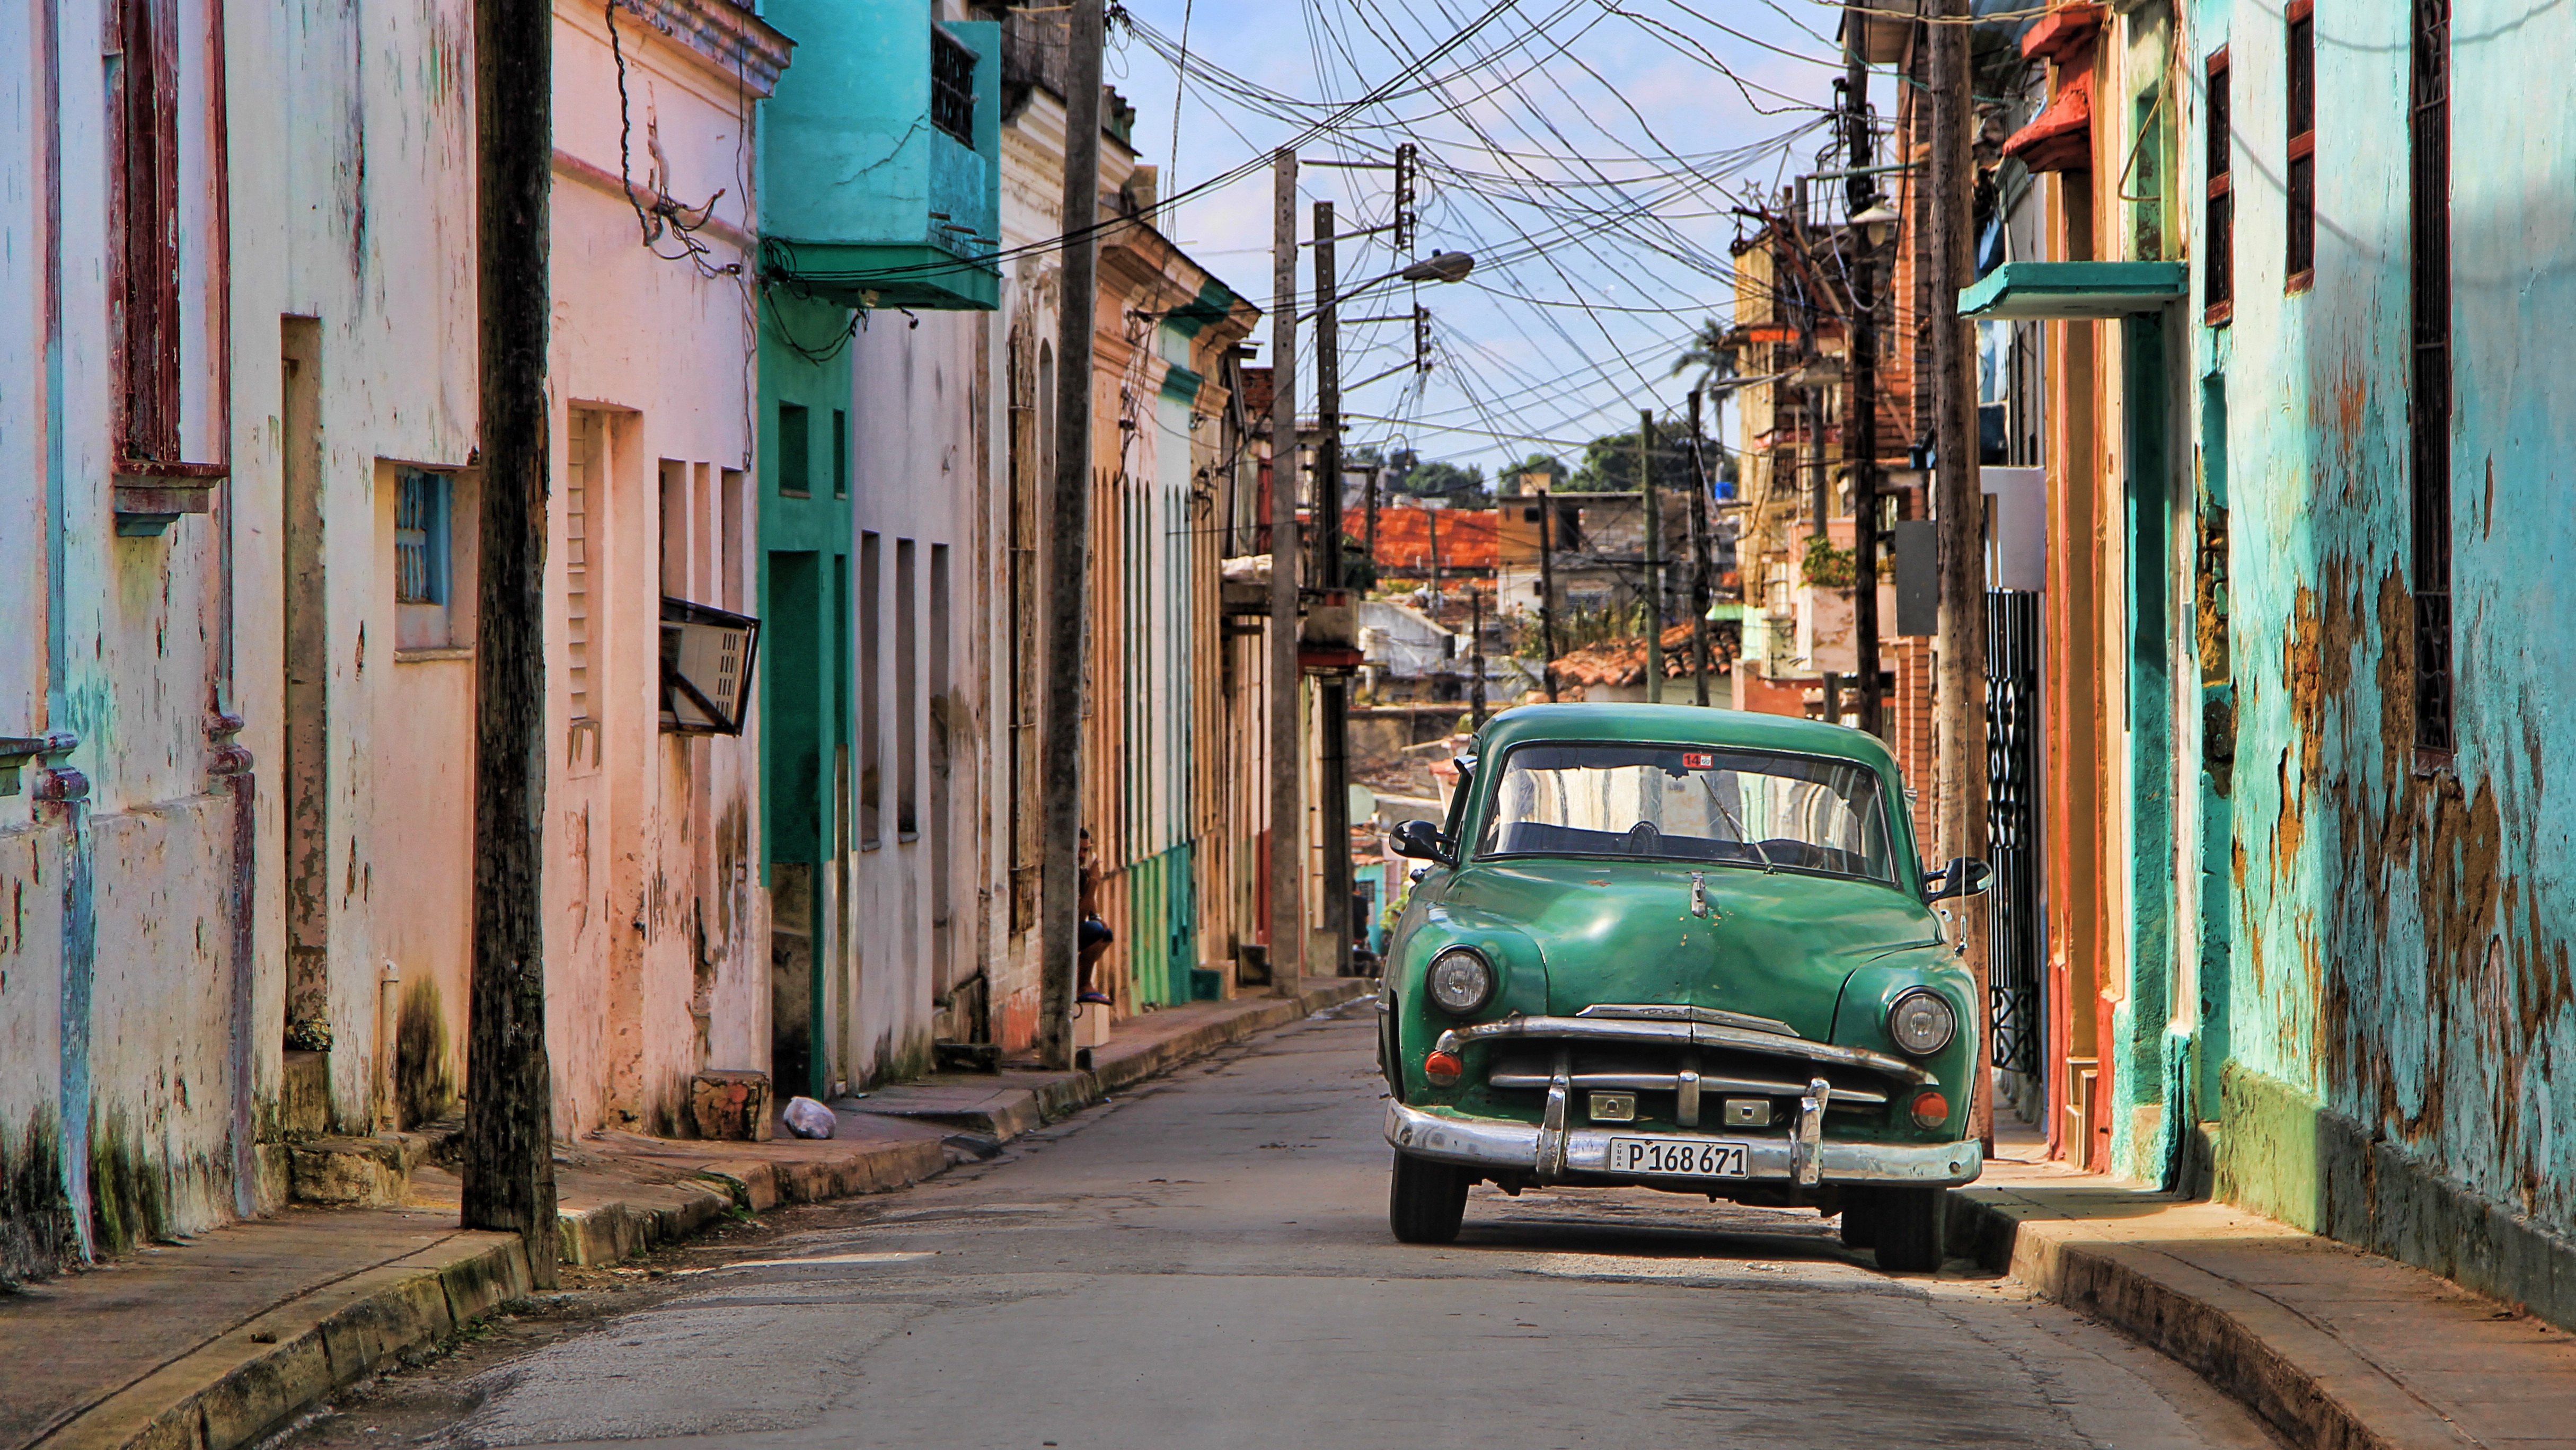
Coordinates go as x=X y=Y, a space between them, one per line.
x=1331 y=692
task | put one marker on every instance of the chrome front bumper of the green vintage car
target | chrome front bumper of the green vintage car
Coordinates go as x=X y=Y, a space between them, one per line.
x=1549 y=1153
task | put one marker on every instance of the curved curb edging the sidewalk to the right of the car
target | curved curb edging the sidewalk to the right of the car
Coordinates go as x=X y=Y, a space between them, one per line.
x=2309 y=1384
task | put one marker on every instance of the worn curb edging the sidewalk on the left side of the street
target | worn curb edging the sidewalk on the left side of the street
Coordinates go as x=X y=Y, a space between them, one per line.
x=236 y=1387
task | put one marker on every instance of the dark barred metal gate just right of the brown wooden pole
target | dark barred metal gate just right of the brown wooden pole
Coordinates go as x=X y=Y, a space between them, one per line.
x=2016 y=934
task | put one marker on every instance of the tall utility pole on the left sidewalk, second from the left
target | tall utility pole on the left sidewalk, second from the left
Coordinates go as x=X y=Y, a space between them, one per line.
x=1070 y=547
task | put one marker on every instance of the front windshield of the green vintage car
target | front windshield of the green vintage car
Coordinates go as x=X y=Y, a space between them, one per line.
x=1676 y=802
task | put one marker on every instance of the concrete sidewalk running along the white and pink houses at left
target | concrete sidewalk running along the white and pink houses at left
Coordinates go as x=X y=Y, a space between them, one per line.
x=218 y=1341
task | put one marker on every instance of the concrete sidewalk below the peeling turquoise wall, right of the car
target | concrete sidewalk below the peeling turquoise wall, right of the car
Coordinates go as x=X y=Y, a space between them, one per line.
x=2333 y=1346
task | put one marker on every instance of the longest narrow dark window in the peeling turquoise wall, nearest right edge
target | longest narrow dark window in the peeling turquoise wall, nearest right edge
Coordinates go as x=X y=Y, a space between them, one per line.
x=2428 y=146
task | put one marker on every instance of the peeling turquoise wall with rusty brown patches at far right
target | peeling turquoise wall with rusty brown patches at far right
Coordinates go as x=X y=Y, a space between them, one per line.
x=2402 y=934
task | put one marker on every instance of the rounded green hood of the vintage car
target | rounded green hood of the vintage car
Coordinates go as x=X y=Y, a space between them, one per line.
x=1774 y=944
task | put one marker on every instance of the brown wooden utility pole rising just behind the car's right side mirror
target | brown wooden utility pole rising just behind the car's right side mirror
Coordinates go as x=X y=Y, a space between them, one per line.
x=1959 y=519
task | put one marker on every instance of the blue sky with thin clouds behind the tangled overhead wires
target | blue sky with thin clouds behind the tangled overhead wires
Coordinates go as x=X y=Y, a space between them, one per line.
x=1591 y=153
